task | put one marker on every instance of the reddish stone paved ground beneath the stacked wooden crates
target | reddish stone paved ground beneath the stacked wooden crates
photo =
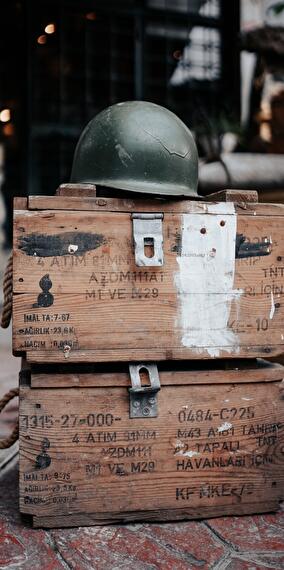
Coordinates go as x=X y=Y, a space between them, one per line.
x=231 y=543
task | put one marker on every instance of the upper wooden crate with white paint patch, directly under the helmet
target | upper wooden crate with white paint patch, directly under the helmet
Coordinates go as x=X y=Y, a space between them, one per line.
x=83 y=290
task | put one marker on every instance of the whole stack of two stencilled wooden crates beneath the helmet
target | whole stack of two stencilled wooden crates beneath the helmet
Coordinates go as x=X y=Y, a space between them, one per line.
x=142 y=326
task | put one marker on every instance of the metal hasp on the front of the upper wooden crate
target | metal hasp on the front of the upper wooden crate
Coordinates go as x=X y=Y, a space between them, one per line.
x=148 y=231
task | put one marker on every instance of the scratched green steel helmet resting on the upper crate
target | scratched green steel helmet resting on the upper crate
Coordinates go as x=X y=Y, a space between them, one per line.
x=137 y=146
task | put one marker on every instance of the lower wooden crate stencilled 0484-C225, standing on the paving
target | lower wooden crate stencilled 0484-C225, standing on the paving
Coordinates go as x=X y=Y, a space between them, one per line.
x=214 y=448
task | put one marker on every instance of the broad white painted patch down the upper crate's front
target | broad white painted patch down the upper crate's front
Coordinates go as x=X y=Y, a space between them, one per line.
x=206 y=278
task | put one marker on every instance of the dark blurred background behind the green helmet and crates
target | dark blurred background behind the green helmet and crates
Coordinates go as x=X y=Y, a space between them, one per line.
x=217 y=64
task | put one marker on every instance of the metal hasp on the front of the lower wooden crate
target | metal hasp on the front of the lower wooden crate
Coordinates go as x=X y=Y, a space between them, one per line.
x=143 y=399
